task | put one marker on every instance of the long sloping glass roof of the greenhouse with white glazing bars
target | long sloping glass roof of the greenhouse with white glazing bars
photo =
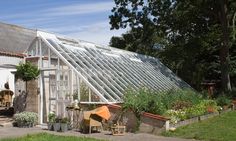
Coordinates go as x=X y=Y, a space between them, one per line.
x=109 y=71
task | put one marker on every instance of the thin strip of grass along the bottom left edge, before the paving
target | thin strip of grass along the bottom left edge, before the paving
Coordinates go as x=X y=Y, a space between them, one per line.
x=49 y=137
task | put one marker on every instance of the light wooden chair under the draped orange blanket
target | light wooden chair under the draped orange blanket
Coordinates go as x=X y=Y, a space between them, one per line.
x=92 y=120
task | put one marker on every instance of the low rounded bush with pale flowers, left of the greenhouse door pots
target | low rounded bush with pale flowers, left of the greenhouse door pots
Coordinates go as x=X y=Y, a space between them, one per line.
x=26 y=119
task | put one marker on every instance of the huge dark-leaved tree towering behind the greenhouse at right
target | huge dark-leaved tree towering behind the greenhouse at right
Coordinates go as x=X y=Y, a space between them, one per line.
x=193 y=33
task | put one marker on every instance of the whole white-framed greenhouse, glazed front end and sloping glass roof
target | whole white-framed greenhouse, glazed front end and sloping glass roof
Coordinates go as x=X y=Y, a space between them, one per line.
x=77 y=70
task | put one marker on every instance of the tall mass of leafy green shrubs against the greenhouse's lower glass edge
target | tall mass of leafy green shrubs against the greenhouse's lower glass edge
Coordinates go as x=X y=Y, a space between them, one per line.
x=159 y=102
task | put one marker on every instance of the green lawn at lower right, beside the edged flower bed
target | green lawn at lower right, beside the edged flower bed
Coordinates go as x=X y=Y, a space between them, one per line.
x=221 y=128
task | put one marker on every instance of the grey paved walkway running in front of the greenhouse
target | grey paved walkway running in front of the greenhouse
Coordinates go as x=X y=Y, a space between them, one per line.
x=9 y=132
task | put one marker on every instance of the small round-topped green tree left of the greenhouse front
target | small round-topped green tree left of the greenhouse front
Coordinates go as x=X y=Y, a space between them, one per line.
x=27 y=72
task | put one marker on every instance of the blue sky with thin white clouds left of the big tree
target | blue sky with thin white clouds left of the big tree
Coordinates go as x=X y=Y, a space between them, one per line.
x=83 y=19
